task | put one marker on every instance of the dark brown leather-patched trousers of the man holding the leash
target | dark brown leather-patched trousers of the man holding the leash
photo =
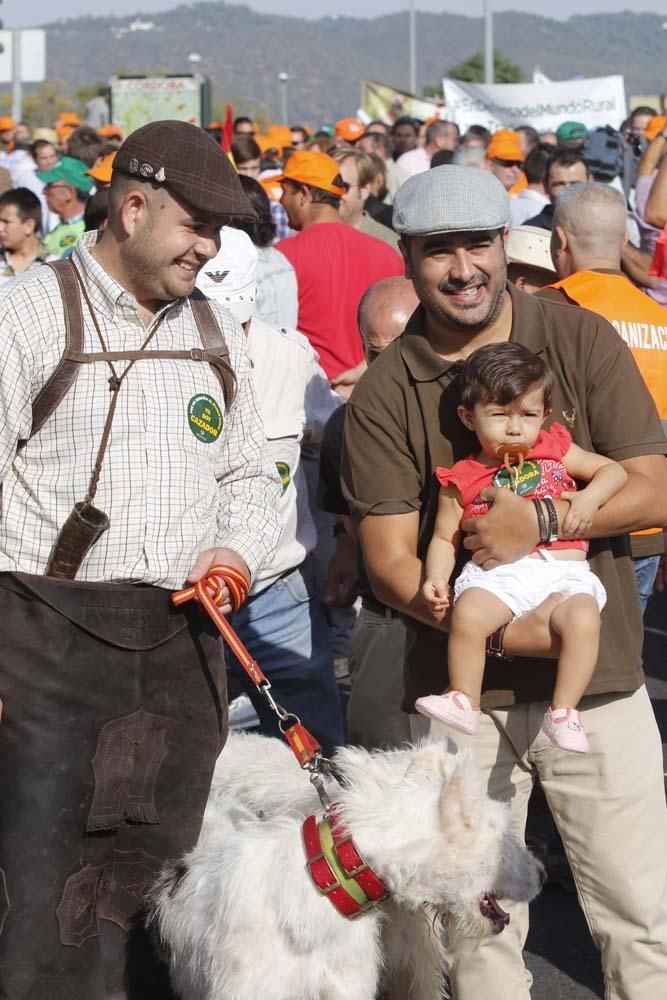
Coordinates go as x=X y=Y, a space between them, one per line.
x=114 y=713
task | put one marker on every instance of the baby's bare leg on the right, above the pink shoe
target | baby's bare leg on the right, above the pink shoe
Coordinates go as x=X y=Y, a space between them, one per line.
x=577 y=622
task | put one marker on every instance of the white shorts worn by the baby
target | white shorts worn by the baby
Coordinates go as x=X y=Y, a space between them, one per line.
x=524 y=584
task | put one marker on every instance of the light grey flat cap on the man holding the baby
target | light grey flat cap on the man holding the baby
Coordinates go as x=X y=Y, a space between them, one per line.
x=450 y=199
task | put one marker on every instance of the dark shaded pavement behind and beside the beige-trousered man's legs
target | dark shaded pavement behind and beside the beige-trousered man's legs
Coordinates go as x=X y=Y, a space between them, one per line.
x=561 y=955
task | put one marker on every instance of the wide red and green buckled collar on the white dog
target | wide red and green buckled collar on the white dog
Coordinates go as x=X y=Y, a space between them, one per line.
x=345 y=891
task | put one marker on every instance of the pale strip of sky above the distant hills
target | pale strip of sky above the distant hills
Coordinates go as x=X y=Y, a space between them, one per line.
x=19 y=14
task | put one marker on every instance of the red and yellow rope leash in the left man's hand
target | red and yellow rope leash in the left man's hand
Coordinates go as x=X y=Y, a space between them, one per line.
x=209 y=593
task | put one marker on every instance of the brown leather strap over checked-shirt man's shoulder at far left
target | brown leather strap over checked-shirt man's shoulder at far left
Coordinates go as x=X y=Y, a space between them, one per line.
x=64 y=375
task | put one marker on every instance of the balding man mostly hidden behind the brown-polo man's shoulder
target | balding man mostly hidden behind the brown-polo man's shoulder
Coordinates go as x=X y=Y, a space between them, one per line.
x=374 y=714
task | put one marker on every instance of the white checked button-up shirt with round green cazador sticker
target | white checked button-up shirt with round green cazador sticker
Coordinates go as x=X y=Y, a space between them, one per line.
x=170 y=488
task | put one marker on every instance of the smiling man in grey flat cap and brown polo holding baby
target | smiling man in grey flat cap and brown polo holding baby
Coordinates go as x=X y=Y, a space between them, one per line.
x=401 y=423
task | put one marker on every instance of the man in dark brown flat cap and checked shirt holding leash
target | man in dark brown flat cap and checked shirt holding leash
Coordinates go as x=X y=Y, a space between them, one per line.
x=131 y=460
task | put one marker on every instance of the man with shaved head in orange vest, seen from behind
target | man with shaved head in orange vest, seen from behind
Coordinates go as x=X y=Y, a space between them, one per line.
x=587 y=241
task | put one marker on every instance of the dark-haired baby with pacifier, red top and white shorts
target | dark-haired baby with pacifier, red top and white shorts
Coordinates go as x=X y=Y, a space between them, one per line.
x=505 y=399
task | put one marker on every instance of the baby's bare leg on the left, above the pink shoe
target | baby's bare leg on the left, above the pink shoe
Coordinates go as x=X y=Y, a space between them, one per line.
x=475 y=616
